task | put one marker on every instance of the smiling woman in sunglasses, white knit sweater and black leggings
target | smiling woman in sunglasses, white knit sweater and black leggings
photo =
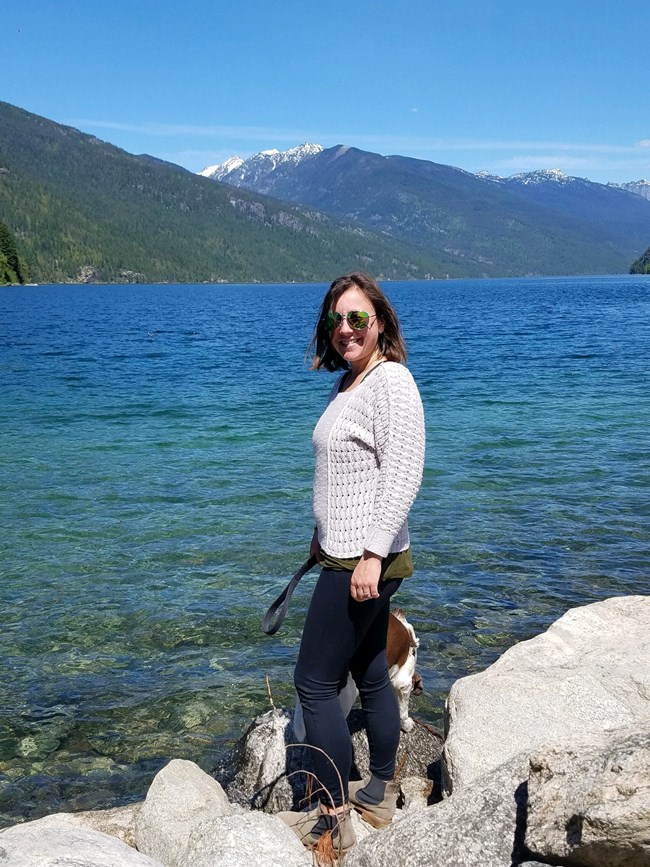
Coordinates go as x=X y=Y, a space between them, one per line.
x=369 y=447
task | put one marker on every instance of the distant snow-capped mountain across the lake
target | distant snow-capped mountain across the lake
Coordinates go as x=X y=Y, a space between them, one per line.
x=480 y=225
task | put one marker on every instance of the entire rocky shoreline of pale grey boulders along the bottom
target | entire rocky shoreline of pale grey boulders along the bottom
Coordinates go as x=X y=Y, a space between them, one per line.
x=545 y=760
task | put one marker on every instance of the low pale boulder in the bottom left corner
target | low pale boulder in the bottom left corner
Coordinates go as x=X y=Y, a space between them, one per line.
x=56 y=842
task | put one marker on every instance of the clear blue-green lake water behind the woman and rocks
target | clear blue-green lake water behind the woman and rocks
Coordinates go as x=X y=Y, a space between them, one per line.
x=155 y=483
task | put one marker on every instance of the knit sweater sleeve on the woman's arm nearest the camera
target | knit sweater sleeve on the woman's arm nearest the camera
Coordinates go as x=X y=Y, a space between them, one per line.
x=399 y=442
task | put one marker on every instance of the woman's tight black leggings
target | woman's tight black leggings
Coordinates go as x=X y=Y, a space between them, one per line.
x=342 y=636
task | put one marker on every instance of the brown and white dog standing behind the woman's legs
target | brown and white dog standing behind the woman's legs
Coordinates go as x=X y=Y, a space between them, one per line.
x=401 y=650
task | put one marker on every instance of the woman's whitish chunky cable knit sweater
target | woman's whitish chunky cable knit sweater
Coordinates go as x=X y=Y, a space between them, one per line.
x=369 y=447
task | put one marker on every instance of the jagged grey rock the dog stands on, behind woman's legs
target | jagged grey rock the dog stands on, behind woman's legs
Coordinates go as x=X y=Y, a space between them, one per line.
x=269 y=770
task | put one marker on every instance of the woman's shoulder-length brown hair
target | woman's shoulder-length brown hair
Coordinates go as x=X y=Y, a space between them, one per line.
x=390 y=344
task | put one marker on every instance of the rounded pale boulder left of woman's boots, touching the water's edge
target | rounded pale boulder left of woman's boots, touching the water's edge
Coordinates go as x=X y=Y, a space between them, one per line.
x=180 y=796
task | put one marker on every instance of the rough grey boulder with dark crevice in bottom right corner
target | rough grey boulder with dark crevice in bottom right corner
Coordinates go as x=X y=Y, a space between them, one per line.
x=590 y=805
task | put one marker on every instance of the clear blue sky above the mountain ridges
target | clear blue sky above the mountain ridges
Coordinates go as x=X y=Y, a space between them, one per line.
x=496 y=85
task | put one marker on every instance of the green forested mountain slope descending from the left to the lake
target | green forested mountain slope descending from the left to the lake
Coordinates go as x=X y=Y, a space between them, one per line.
x=83 y=210
